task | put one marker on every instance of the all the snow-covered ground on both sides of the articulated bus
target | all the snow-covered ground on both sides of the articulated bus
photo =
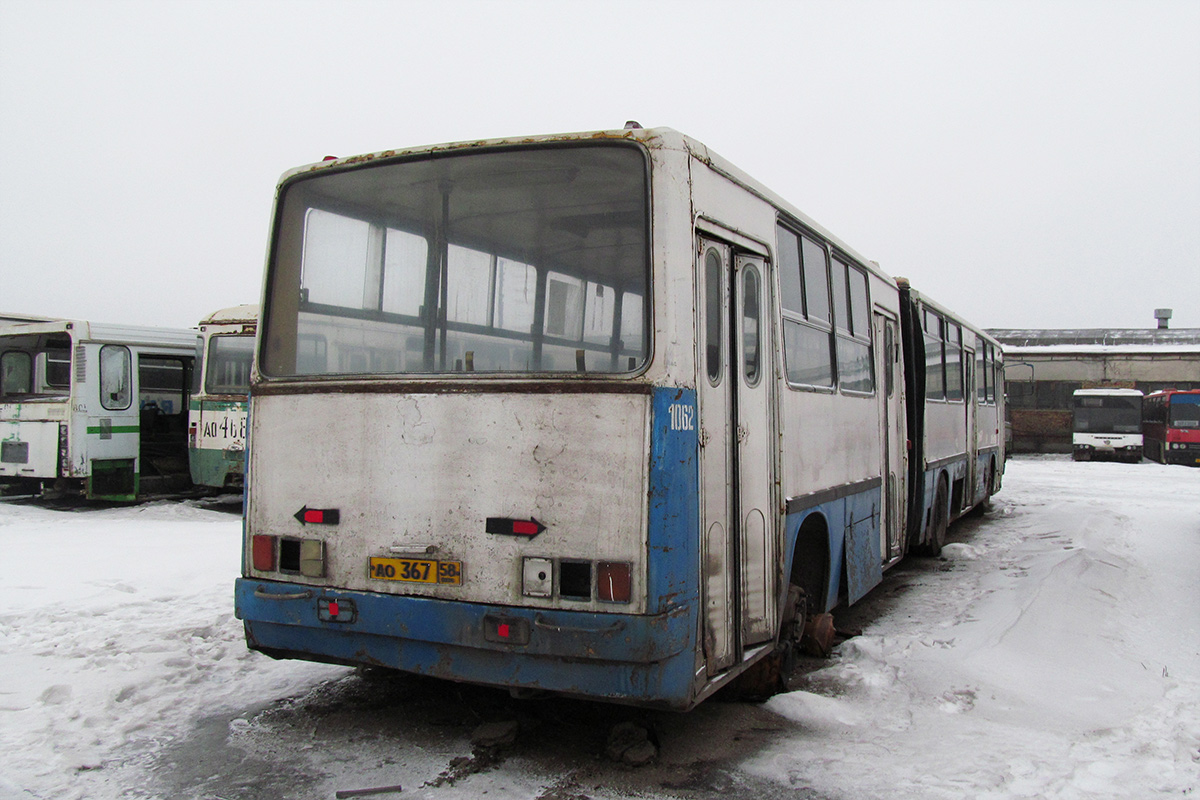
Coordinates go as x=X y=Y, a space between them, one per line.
x=1053 y=653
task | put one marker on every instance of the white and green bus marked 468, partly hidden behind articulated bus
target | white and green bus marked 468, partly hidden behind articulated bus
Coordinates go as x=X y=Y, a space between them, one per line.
x=217 y=429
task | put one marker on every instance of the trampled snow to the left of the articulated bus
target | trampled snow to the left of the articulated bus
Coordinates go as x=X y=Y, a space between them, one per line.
x=117 y=633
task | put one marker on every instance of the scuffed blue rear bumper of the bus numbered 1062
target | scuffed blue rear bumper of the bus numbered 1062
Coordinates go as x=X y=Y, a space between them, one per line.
x=646 y=660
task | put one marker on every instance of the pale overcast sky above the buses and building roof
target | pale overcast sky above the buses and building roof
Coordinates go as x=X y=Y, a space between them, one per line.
x=1029 y=165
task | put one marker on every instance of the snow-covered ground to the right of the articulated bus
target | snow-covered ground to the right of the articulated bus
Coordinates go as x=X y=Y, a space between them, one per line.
x=1059 y=657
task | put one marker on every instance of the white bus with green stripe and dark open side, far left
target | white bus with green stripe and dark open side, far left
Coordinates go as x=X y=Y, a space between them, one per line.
x=94 y=410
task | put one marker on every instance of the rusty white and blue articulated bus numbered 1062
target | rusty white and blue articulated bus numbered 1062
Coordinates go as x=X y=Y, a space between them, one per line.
x=595 y=414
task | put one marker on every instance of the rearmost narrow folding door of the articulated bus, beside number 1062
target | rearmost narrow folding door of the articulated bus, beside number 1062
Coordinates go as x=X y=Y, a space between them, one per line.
x=737 y=455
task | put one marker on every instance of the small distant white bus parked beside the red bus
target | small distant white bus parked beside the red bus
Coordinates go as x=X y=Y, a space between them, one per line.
x=1107 y=424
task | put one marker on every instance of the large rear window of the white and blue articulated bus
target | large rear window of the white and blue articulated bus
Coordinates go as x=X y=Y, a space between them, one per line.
x=524 y=261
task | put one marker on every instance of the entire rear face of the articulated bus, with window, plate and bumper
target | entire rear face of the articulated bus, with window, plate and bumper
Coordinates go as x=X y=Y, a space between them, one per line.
x=459 y=467
